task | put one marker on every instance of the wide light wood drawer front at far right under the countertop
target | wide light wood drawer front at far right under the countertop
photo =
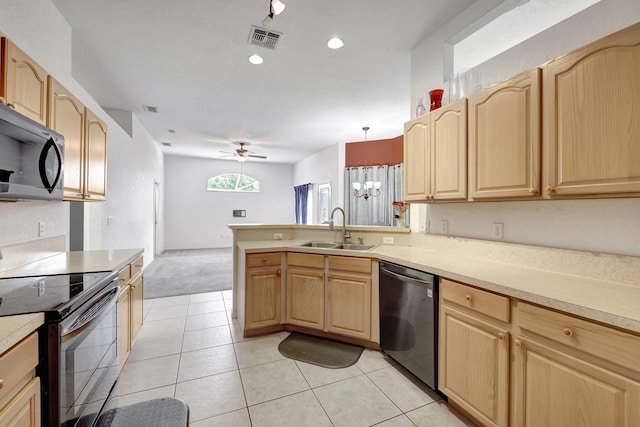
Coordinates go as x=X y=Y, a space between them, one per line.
x=598 y=340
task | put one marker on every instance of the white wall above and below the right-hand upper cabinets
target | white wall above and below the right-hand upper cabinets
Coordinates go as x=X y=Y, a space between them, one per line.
x=607 y=225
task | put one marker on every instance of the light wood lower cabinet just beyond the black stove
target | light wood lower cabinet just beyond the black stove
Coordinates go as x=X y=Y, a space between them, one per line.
x=130 y=306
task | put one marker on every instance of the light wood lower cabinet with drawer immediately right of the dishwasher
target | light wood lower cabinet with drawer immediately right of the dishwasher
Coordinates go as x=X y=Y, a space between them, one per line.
x=474 y=353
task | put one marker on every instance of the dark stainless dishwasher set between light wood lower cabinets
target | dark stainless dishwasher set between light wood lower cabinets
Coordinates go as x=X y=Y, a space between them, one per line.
x=409 y=319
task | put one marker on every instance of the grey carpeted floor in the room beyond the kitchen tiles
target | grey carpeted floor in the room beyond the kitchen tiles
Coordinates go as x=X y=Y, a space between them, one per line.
x=188 y=272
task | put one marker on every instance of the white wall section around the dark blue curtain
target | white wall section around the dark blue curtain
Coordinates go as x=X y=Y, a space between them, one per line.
x=326 y=166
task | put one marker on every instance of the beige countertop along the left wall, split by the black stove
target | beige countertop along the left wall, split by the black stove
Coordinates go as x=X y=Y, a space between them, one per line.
x=15 y=328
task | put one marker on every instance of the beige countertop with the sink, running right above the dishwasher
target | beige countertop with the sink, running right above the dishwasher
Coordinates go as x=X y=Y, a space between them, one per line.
x=607 y=302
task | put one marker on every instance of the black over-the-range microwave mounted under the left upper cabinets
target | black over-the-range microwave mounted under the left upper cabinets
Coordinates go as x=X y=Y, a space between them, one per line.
x=31 y=159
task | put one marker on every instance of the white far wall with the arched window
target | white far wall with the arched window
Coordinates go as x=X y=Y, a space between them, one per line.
x=197 y=218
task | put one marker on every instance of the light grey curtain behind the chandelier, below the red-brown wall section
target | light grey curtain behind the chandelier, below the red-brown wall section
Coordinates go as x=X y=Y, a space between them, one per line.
x=375 y=210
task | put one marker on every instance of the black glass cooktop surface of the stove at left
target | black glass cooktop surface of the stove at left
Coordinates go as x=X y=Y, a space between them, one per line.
x=53 y=295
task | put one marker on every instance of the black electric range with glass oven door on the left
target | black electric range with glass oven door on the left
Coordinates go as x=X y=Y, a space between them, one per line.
x=78 y=342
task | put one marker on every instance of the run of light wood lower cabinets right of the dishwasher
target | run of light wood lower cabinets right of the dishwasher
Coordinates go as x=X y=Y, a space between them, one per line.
x=547 y=368
